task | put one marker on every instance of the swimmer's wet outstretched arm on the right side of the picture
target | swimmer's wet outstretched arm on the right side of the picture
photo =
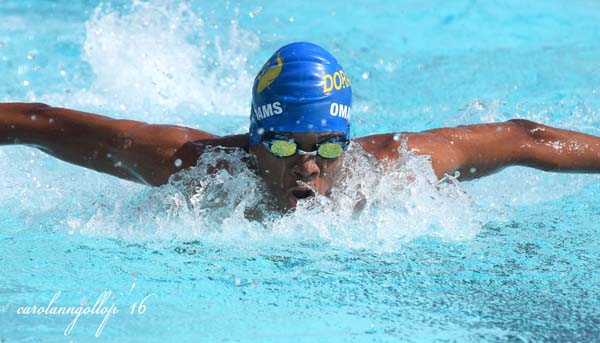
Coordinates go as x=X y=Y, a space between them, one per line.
x=479 y=150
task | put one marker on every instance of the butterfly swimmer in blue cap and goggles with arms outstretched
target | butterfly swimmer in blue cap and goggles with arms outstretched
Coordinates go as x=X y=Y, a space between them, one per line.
x=299 y=131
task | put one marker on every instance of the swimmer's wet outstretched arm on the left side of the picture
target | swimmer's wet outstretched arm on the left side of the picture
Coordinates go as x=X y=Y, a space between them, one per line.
x=128 y=149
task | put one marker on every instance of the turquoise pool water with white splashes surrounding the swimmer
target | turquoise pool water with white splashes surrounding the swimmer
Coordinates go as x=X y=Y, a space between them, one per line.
x=513 y=257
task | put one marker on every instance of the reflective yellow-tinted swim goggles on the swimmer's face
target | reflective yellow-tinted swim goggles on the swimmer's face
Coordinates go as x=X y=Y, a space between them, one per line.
x=282 y=146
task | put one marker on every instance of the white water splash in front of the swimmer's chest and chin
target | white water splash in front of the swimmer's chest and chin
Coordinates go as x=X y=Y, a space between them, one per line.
x=371 y=208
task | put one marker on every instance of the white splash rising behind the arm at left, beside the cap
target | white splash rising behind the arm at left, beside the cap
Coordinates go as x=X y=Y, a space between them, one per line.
x=161 y=55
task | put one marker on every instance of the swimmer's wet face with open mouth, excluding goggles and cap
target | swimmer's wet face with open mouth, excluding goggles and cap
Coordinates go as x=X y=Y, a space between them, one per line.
x=291 y=178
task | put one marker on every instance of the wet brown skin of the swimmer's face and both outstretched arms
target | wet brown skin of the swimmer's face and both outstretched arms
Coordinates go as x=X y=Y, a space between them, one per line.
x=151 y=154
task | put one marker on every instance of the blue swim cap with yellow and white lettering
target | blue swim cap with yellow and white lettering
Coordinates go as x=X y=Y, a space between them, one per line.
x=301 y=88
